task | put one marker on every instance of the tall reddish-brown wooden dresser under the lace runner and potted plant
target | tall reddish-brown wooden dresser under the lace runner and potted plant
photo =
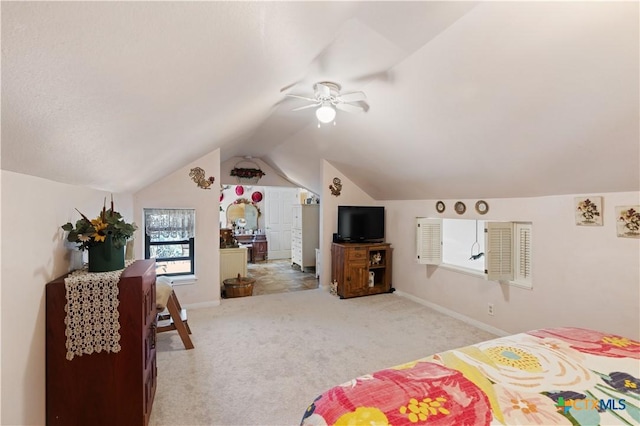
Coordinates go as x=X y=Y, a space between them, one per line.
x=105 y=388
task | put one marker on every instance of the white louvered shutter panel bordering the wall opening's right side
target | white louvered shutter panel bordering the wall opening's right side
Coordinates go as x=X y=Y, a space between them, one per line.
x=499 y=251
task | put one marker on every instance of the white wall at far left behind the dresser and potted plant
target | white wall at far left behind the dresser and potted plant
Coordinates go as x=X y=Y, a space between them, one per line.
x=33 y=210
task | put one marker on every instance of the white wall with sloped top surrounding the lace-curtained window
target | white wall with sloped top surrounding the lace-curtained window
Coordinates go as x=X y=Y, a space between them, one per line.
x=177 y=190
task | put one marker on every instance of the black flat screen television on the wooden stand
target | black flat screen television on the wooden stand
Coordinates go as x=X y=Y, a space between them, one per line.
x=360 y=224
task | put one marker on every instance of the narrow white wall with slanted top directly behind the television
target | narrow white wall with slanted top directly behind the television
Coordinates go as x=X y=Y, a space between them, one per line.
x=351 y=195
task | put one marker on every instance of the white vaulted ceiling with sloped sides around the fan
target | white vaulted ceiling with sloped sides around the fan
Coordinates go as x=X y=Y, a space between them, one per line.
x=466 y=100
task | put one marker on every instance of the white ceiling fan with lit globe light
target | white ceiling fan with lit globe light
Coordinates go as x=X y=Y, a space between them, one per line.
x=327 y=98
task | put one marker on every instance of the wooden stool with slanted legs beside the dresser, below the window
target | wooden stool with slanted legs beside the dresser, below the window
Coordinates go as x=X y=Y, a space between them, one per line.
x=171 y=316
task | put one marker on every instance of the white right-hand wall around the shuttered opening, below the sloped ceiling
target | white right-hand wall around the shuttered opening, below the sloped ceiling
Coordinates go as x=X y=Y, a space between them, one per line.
x=582 y=276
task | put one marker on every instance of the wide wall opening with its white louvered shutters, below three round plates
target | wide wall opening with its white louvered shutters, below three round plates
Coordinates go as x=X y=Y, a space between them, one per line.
x=505 y=246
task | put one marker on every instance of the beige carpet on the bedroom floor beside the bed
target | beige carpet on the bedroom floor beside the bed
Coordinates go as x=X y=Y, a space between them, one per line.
x=261 y=360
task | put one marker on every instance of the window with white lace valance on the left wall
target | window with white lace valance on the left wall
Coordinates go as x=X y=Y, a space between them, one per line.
x=169 y=239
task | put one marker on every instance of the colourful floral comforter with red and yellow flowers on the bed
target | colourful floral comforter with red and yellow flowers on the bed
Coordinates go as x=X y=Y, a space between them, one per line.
x=559 y=376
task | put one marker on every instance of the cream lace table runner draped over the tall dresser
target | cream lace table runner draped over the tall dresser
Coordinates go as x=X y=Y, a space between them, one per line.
x=92 y=312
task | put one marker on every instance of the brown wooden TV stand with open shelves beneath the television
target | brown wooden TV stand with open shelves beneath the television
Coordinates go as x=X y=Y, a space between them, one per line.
x=352 y=265
